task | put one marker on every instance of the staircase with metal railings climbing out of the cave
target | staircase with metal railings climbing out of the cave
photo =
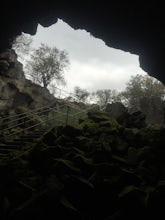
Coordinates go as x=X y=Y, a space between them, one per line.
x=29 y=134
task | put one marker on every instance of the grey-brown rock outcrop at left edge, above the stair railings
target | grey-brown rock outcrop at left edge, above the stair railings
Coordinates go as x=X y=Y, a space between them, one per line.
x=15 y=90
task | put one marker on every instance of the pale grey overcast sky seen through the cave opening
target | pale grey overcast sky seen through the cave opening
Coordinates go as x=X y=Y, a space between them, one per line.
x=93 y=65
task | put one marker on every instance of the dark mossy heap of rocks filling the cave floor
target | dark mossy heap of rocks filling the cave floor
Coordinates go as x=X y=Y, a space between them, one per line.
x=102 y=169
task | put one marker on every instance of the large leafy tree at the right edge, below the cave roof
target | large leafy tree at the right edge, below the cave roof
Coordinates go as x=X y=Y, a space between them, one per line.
x=146 y=94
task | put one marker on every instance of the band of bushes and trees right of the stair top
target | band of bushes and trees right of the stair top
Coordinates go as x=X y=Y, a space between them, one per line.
x=142 y=93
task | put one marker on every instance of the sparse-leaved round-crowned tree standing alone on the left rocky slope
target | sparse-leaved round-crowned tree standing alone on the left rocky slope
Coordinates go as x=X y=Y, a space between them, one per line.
x=47 y=64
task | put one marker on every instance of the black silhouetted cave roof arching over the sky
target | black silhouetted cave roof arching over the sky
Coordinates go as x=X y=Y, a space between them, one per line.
x=135 y=27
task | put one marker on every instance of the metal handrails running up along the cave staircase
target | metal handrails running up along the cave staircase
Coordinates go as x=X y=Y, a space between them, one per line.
x=19 y=124
